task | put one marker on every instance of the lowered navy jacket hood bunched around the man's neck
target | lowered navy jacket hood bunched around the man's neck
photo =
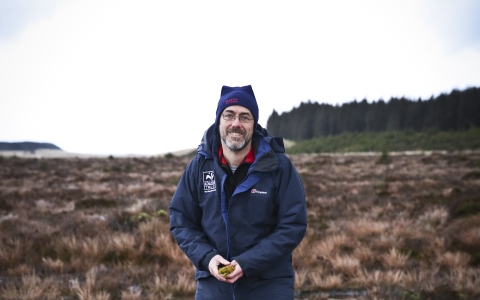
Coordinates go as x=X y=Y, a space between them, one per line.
x=211 y=141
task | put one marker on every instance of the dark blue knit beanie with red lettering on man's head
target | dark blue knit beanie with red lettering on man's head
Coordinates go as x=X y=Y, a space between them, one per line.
x=242 y=96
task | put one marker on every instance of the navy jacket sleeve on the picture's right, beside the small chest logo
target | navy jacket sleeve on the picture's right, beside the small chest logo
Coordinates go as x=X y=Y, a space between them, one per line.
x=290 y=230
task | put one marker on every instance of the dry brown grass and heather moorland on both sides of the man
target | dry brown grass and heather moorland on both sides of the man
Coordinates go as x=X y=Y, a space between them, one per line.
x=96 y=228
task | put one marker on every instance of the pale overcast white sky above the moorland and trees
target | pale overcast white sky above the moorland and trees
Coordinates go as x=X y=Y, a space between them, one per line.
x=144 y=77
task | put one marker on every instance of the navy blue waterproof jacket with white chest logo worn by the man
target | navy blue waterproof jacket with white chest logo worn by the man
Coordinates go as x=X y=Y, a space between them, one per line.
x=264 y=221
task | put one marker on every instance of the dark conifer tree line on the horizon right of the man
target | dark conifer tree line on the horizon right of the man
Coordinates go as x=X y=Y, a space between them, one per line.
x=458 y=110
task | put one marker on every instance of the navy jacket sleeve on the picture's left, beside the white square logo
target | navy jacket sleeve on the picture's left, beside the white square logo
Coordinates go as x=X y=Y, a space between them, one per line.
x=185 y=219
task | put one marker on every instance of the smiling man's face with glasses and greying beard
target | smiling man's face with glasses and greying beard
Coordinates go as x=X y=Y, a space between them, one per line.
x=236 y=134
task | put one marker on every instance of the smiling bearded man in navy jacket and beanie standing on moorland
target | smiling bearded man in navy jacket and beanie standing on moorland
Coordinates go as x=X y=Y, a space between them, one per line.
x=240 y=202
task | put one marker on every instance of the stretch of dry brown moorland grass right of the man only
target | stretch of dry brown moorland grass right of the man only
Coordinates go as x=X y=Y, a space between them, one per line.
x=407 y=225
